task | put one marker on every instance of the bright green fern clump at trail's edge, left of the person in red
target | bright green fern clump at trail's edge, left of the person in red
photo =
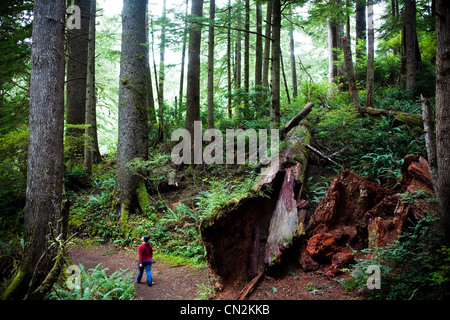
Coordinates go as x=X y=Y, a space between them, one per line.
x=97 y=285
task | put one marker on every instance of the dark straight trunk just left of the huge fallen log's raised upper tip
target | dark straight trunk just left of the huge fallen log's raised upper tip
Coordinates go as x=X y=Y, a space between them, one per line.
x=275 y=76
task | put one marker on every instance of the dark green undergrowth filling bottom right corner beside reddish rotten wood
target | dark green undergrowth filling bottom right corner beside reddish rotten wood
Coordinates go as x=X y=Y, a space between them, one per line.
x=417 y=266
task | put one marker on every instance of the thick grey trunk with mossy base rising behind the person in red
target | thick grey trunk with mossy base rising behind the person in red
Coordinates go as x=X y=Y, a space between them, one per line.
x=133 y=109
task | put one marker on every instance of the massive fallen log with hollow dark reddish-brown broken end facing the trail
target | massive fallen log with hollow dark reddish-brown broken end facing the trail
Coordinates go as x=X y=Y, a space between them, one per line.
x=249 y=235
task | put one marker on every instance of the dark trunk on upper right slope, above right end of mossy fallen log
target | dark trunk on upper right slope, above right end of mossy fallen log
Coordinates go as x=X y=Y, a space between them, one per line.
x=410 y=43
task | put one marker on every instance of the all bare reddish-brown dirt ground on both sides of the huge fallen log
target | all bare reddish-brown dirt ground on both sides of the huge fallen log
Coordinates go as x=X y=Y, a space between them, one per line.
x=174 y=281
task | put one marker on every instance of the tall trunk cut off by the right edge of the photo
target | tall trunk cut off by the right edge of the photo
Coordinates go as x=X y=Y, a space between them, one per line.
x=443 y=110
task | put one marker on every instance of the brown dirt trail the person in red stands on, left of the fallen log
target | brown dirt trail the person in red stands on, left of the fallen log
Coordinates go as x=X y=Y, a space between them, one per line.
x=170 y=282
